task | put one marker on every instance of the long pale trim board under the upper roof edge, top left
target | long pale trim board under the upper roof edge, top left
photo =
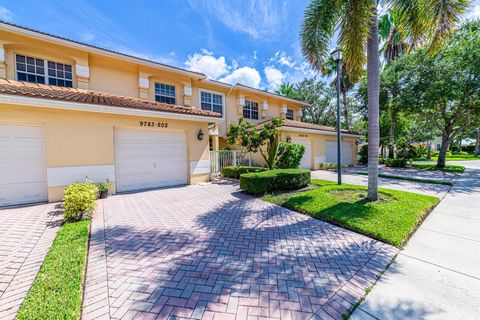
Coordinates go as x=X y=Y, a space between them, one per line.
x=92 y=49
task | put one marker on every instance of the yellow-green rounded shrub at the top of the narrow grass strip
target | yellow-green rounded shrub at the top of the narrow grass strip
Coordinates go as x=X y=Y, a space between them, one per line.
x=79 y=199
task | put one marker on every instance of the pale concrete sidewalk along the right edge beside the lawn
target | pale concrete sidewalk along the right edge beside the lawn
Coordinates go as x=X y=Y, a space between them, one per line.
x=437 y=275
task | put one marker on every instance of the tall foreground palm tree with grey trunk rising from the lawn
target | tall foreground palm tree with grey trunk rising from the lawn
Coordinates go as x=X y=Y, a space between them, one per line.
x=357 y=25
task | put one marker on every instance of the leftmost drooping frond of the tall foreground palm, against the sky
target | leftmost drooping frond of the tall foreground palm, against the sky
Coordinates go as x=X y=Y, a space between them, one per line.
x=320 y=19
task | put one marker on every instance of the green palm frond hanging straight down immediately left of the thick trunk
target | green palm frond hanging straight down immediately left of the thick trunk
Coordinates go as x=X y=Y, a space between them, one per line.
x=354 y=32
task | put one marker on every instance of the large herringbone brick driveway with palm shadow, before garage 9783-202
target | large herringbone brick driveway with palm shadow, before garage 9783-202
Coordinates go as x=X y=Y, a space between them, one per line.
x=212 y=252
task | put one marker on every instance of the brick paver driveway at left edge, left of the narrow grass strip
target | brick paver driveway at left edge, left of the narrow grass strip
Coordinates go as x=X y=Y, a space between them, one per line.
x=26 y=234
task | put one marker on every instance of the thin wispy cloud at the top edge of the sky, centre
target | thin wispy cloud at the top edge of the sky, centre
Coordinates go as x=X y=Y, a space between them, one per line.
x=259 y=19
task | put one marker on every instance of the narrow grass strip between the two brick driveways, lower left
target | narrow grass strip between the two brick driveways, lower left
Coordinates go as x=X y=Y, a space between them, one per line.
x=57 y=290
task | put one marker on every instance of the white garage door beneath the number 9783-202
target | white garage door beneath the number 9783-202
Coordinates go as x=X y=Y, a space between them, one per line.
x=146 y=159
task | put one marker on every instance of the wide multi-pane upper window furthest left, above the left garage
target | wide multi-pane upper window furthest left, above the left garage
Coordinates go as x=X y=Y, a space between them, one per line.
x=42 y=71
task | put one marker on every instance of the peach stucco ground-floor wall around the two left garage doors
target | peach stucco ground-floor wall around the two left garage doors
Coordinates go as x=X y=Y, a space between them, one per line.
x=74 y=138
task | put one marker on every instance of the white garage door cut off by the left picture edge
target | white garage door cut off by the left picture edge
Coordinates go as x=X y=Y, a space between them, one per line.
x=22 y=164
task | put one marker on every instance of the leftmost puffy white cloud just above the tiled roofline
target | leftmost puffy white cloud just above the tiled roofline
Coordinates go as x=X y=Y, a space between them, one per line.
x=205 y=62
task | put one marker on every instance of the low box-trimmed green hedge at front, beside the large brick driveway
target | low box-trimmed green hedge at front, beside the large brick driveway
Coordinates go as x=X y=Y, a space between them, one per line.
x=274 y=180
